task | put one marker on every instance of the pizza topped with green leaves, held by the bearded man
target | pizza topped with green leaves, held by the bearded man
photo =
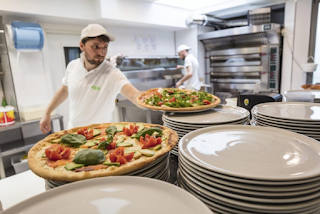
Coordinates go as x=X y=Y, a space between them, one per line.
x=172 y=99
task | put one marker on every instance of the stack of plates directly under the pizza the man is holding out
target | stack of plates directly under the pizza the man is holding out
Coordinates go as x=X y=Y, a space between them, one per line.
x=183 y=123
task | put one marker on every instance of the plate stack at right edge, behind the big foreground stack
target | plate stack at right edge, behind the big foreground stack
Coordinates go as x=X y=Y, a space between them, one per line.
x=300 y=117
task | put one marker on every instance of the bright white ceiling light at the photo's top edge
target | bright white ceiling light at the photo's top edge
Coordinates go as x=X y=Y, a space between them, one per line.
x=190 y=4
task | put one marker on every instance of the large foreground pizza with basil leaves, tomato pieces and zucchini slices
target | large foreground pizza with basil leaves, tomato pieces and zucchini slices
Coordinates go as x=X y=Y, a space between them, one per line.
x=99 y=150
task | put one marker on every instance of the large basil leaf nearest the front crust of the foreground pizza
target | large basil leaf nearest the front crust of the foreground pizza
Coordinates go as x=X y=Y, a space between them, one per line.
x=89 y=157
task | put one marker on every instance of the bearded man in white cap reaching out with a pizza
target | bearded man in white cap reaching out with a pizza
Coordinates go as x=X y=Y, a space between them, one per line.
x=91 y=83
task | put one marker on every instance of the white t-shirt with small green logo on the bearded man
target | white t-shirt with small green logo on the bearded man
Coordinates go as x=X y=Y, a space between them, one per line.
x=92 y=94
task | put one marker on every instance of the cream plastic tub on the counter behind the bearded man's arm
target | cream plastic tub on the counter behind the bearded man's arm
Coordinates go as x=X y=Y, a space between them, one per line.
x=32 y=112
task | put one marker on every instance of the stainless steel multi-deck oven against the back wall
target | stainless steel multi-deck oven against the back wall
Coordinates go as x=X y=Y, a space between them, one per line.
x=239 y=58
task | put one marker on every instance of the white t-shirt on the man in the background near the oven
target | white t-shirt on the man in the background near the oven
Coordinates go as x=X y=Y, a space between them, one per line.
x=193 y=83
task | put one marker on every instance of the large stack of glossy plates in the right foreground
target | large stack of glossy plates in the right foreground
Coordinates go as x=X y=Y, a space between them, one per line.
x=246 y=169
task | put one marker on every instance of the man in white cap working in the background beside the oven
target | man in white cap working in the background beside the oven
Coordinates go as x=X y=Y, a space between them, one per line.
x=191 y=66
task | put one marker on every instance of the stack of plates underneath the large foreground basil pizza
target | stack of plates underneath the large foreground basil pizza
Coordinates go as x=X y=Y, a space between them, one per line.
x=159 y=169
